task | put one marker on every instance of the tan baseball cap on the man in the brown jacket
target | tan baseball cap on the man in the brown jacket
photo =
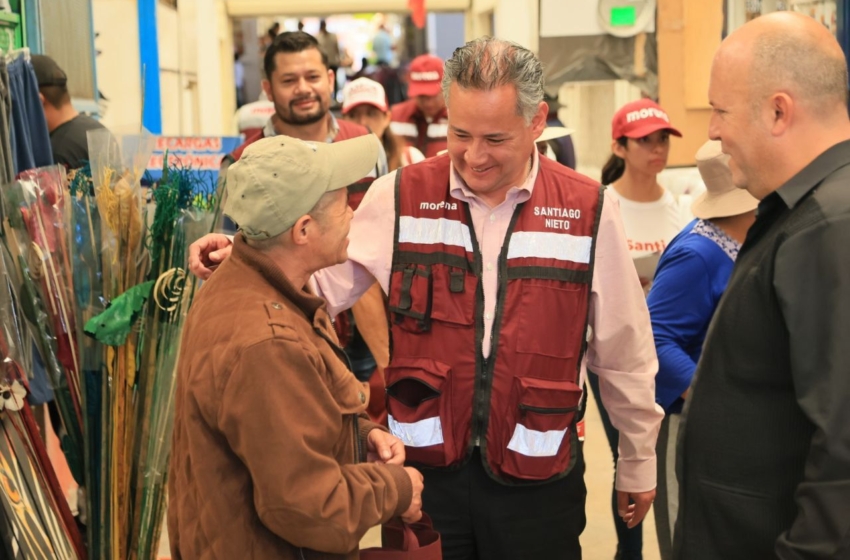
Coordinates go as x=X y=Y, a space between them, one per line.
x=279 y=179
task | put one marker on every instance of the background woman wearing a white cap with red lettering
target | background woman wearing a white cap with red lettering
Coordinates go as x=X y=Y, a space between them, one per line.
x=365 y=102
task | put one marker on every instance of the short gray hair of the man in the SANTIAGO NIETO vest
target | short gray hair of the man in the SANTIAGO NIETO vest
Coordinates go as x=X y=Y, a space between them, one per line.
x=488 y=63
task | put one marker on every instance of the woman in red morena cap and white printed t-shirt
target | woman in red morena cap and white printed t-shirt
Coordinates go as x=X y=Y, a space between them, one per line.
x=652 y=217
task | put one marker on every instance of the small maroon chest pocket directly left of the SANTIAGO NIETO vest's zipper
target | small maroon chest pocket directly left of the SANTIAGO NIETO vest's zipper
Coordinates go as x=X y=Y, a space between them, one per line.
x=453 y=296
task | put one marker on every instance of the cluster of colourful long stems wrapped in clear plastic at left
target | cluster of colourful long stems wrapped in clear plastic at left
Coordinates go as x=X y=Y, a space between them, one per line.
x=106 y=271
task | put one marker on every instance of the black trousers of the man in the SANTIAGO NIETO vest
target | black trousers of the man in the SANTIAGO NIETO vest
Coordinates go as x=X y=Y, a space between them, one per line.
x=481 y=519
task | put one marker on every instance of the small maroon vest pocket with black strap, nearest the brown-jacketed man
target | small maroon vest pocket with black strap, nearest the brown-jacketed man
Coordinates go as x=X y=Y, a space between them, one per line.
x=410 y=297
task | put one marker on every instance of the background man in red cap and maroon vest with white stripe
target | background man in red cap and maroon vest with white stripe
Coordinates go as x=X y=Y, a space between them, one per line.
x=422 y=120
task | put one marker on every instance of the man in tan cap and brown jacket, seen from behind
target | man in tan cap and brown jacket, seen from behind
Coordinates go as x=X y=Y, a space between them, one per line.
x=270 y=437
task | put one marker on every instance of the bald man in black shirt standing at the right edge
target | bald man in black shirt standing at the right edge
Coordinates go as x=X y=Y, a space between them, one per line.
x=764 y=455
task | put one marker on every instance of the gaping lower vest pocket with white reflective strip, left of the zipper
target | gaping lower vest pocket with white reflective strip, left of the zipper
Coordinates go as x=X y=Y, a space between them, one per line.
x=419 y=409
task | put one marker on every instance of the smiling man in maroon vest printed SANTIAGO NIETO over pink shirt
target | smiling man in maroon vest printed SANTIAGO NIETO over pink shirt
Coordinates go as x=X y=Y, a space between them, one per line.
x=503 y=271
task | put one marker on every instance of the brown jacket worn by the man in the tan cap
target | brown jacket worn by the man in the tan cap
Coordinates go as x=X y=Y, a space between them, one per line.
x=269 y=431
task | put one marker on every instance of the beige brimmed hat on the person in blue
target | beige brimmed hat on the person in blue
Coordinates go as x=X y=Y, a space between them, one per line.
x=721 y=198
